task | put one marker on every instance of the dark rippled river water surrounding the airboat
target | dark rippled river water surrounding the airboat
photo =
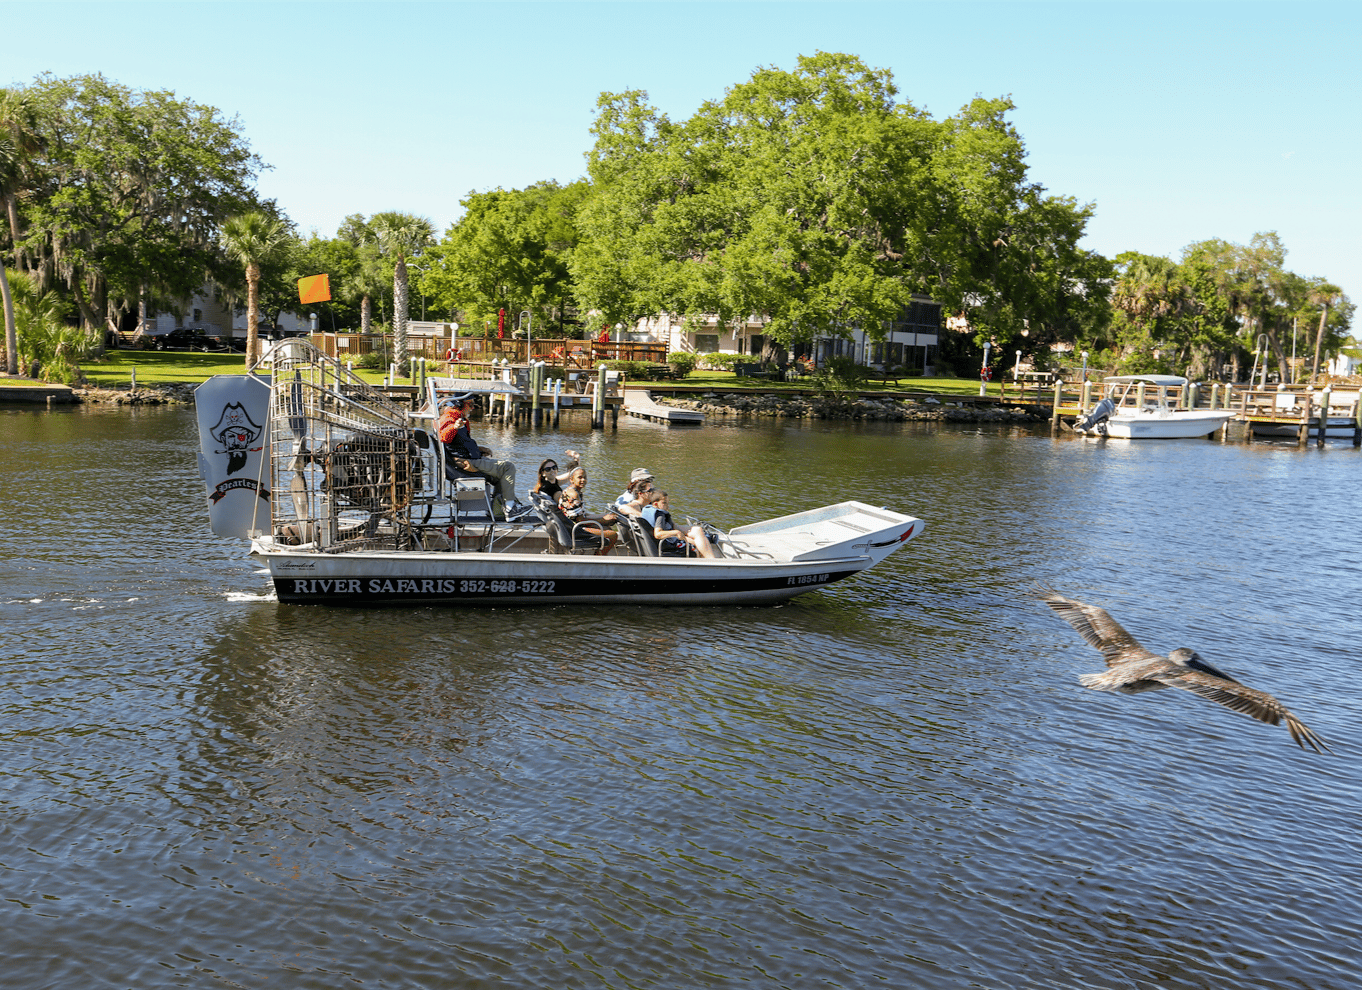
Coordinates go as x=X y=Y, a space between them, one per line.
x=896 y=782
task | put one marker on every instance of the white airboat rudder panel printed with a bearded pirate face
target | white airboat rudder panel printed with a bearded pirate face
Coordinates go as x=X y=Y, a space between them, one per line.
x=235 y=453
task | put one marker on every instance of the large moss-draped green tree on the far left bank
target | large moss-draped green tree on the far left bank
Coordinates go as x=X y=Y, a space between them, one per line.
x=129 y=193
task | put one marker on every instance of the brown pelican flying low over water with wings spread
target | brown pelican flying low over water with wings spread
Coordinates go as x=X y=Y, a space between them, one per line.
x=1134 y=669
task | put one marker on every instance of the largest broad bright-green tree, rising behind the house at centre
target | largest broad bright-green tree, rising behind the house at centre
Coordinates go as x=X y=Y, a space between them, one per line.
x=818 y=201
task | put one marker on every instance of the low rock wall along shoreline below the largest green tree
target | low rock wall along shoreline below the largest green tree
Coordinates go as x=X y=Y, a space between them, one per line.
x=846 y=408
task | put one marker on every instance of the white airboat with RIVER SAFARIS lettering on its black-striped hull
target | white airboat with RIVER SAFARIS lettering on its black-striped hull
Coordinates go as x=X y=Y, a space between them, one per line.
x=348 y=502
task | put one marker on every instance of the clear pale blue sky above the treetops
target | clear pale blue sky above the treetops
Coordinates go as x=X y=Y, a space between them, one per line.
x=1182 y=122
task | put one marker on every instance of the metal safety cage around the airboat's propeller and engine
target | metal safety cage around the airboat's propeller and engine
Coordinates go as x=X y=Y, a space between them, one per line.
x=345 y=461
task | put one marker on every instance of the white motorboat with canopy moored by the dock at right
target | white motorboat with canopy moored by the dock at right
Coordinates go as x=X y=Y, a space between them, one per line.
x=1138 y=408
